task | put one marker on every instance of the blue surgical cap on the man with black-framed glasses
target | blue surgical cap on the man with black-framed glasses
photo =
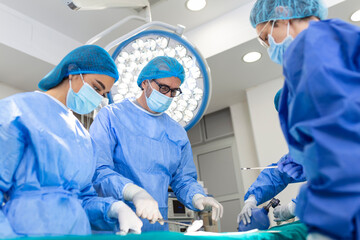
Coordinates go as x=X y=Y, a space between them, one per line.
x=161 y=67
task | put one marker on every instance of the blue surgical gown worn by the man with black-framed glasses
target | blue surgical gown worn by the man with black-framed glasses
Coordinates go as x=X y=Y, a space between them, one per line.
x=150 y=151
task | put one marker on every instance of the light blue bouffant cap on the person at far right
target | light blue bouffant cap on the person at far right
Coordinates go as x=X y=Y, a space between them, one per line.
x=266 y=10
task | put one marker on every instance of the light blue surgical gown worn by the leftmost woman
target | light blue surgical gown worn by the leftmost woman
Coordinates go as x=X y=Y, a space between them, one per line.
x=46 y=168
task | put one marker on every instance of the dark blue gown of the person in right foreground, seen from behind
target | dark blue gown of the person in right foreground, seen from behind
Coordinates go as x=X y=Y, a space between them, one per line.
x=320 y=118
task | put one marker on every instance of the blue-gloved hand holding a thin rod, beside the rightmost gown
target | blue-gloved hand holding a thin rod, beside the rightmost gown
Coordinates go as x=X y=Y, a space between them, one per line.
x=291 y=168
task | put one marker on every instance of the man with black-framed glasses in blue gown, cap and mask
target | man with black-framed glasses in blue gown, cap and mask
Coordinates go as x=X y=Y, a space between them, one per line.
x=145 y=150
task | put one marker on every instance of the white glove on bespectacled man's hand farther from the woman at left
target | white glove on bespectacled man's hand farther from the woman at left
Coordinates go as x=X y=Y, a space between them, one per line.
x=207 y=203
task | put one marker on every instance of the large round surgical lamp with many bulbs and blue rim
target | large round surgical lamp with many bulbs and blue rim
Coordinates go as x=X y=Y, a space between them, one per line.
x=135 y=49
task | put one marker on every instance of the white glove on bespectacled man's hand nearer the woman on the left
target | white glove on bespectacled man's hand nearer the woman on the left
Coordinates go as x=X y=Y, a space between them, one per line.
x=146 y=206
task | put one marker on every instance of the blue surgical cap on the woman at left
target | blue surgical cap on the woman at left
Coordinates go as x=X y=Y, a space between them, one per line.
x=88 y=59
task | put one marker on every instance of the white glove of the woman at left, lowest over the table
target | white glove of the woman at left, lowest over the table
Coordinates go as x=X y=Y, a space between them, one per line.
x=128 y=221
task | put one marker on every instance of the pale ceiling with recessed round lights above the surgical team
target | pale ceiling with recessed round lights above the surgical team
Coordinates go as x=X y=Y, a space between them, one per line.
x=22 y=66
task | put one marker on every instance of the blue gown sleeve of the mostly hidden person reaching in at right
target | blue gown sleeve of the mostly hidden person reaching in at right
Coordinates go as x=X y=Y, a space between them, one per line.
x=269 y=183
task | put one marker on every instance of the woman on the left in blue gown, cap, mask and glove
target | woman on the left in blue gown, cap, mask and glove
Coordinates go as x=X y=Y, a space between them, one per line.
x=47 y=159
